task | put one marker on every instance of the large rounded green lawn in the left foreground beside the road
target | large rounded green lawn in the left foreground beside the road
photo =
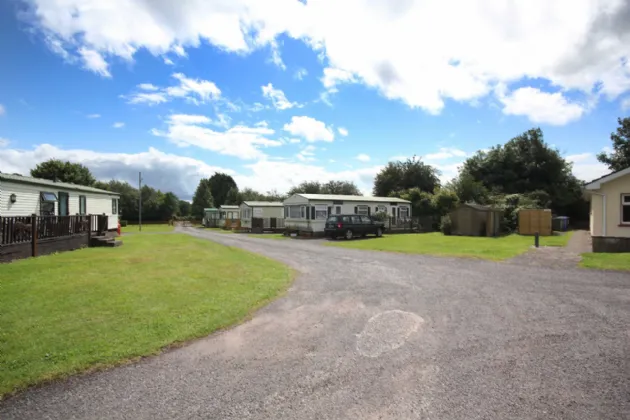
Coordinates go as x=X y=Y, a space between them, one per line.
x=66 y=313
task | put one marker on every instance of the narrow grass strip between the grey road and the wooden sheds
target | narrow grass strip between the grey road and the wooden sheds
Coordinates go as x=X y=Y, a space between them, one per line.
x=456 y=246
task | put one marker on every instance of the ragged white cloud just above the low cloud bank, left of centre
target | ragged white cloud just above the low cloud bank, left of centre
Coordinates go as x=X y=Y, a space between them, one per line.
x=239 y=141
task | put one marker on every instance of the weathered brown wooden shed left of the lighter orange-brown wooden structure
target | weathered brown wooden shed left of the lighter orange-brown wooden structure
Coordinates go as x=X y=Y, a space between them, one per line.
x=476 y=220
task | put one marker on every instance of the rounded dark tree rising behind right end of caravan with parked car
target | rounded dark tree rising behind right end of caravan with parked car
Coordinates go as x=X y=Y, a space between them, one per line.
x=405 y=175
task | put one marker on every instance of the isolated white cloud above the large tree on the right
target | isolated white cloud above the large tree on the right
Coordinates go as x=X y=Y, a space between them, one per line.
x=541 y=107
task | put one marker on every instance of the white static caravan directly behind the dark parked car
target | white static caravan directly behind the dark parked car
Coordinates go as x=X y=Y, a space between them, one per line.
x=308 y=212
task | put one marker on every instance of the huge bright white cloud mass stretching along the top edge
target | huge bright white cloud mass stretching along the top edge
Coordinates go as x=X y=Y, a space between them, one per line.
x=493 y=43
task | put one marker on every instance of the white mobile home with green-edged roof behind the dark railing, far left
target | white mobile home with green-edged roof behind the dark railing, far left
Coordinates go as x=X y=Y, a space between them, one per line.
x=24 y=196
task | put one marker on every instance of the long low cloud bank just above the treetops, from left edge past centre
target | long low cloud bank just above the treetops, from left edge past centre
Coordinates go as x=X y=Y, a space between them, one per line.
x=171 y=172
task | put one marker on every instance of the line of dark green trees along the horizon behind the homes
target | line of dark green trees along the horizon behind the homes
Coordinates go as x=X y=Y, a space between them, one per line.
x=523 y=172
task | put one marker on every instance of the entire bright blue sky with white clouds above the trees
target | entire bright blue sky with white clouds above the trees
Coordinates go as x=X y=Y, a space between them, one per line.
x=296 y=91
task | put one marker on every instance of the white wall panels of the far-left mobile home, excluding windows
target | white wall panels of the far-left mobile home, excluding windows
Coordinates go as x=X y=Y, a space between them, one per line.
x=28 y=201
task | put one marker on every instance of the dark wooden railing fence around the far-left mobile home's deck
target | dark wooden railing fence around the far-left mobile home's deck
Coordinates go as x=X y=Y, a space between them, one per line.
x=30 y=236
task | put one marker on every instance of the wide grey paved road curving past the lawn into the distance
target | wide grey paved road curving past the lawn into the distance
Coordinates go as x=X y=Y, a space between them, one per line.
x=366 y=335
